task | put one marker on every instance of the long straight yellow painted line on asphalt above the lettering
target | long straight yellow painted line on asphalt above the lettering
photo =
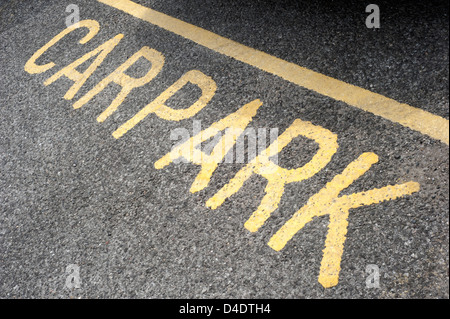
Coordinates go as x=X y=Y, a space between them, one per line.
x=408 y=116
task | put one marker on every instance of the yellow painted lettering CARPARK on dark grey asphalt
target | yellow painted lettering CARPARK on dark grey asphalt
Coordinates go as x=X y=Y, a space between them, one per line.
x=325 y=202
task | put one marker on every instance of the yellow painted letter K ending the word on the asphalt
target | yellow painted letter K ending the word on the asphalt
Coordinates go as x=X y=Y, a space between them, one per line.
x=327 y=202
